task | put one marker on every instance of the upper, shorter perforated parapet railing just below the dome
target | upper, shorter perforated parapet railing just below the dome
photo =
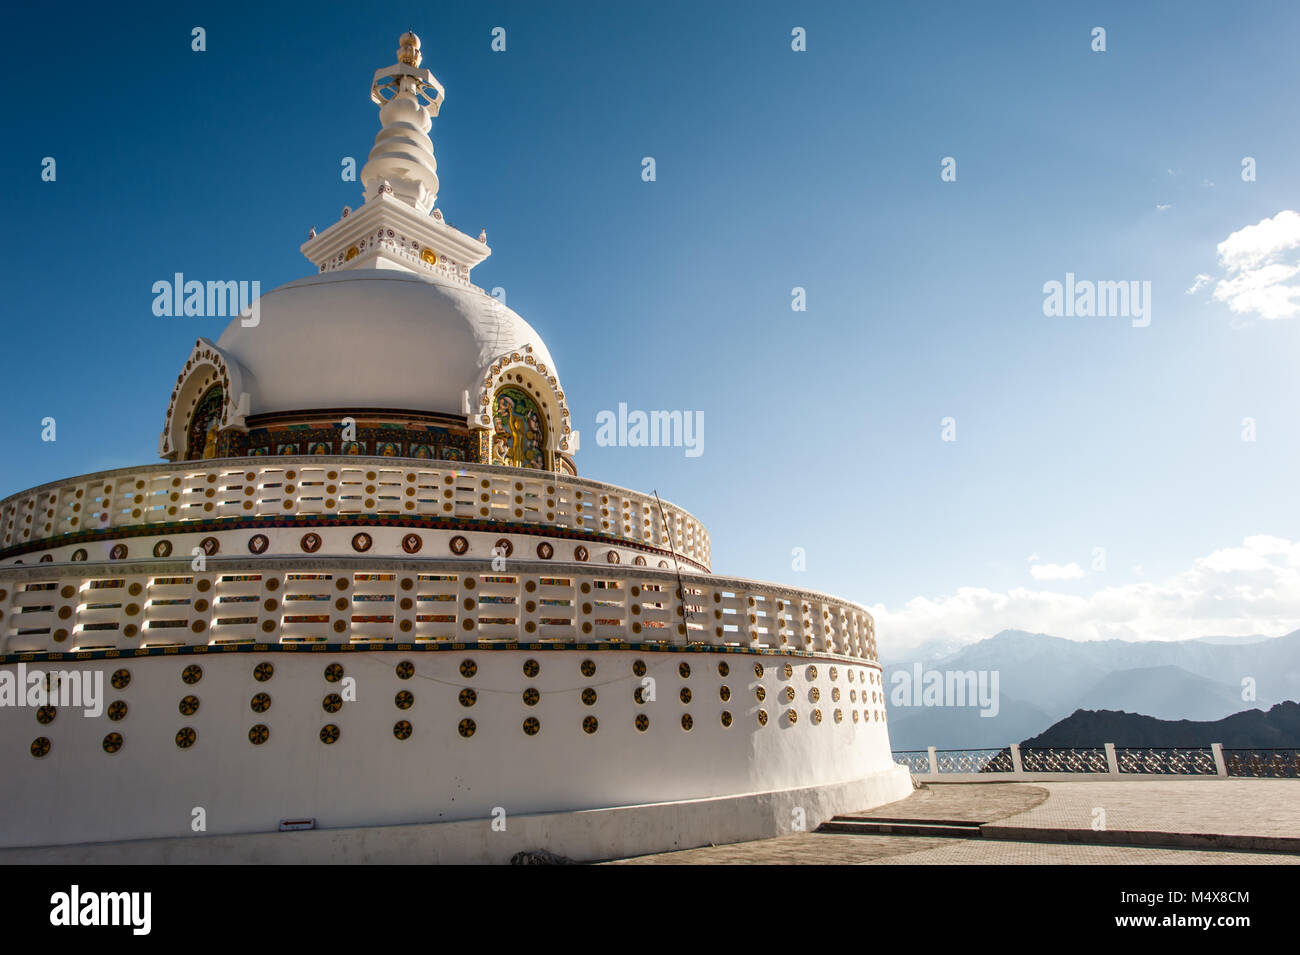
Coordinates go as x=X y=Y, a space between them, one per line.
x=349 y=487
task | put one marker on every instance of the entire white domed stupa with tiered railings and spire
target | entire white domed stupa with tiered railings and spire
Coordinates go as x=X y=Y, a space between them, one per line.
x=367 y=593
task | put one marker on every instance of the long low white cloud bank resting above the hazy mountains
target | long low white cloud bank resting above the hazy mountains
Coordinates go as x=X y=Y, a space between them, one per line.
x=1254 y=588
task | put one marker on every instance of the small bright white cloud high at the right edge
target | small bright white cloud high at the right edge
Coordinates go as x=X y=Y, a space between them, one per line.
x=1262 y=263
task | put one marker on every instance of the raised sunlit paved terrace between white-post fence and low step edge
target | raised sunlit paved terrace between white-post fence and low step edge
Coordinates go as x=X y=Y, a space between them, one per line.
x=1225 y=808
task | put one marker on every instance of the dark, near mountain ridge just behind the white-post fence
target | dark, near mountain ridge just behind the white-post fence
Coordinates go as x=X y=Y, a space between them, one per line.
x=1253 y=730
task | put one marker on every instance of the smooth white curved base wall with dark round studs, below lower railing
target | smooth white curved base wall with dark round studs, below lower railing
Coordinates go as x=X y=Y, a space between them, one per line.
x=79 y=793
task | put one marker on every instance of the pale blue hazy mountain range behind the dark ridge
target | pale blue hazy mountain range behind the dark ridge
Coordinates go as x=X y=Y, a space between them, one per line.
x=1045 y=679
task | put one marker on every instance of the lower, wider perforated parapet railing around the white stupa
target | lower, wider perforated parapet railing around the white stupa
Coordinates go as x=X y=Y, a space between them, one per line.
x=131 y=605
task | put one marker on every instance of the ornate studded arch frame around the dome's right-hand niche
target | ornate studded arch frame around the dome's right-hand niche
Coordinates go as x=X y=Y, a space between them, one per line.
x=523 y=372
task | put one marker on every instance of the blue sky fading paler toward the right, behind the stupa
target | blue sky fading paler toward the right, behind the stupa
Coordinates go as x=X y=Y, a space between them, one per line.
x=775 y=170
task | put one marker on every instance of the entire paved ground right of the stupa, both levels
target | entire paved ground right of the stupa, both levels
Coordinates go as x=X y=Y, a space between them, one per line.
x=1126 y=823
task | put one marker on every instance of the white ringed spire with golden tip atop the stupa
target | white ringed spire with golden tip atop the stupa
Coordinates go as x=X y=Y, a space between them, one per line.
x=409 y=97
